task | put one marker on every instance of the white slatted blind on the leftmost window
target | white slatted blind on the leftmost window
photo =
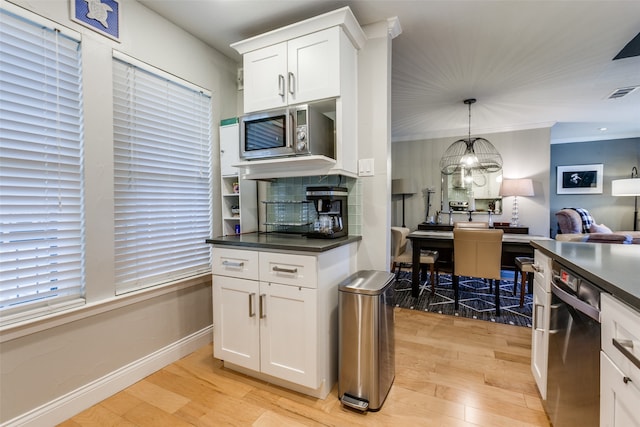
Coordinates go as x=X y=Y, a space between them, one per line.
x=41 y=220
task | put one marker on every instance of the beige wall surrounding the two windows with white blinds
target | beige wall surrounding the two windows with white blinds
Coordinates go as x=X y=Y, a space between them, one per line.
x=45 y=360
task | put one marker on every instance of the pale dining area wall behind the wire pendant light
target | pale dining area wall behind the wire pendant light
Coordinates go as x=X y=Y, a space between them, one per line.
x=526 y=154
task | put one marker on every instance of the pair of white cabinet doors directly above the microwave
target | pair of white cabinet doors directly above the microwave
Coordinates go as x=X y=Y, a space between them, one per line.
x=297 y=71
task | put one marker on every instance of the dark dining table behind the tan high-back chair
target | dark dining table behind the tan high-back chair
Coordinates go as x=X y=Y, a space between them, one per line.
x=513 y=245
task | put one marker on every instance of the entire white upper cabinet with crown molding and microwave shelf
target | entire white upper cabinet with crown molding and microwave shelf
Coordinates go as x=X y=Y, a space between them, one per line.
x=311 y=60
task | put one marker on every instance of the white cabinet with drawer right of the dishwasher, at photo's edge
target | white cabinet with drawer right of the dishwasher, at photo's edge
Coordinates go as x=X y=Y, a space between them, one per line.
x=619 y=364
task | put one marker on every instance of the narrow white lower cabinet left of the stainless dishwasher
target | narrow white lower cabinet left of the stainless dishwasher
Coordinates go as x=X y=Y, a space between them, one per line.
x=541 y=319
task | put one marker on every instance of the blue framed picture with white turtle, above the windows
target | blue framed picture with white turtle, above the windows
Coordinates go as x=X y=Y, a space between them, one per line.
x=102 y=16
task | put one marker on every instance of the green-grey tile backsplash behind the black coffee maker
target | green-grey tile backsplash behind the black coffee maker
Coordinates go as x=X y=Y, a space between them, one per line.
x=294 y=190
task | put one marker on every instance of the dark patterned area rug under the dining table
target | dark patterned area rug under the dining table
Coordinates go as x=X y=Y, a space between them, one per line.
x=476 y=300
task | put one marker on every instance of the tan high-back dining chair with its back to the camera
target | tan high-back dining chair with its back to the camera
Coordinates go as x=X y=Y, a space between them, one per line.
x=477 y=253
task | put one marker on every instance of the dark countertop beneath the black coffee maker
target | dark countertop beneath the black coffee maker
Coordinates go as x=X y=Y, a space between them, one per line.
x=281 y=241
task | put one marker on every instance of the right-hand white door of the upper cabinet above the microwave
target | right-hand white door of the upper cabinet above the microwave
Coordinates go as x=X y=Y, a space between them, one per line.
x=314 y=66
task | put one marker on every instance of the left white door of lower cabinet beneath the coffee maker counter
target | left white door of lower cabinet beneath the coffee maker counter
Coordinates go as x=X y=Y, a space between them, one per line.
x=236 y=329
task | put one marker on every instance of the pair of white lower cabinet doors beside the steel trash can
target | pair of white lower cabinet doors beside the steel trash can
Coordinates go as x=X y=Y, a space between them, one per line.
x=267 y=327
